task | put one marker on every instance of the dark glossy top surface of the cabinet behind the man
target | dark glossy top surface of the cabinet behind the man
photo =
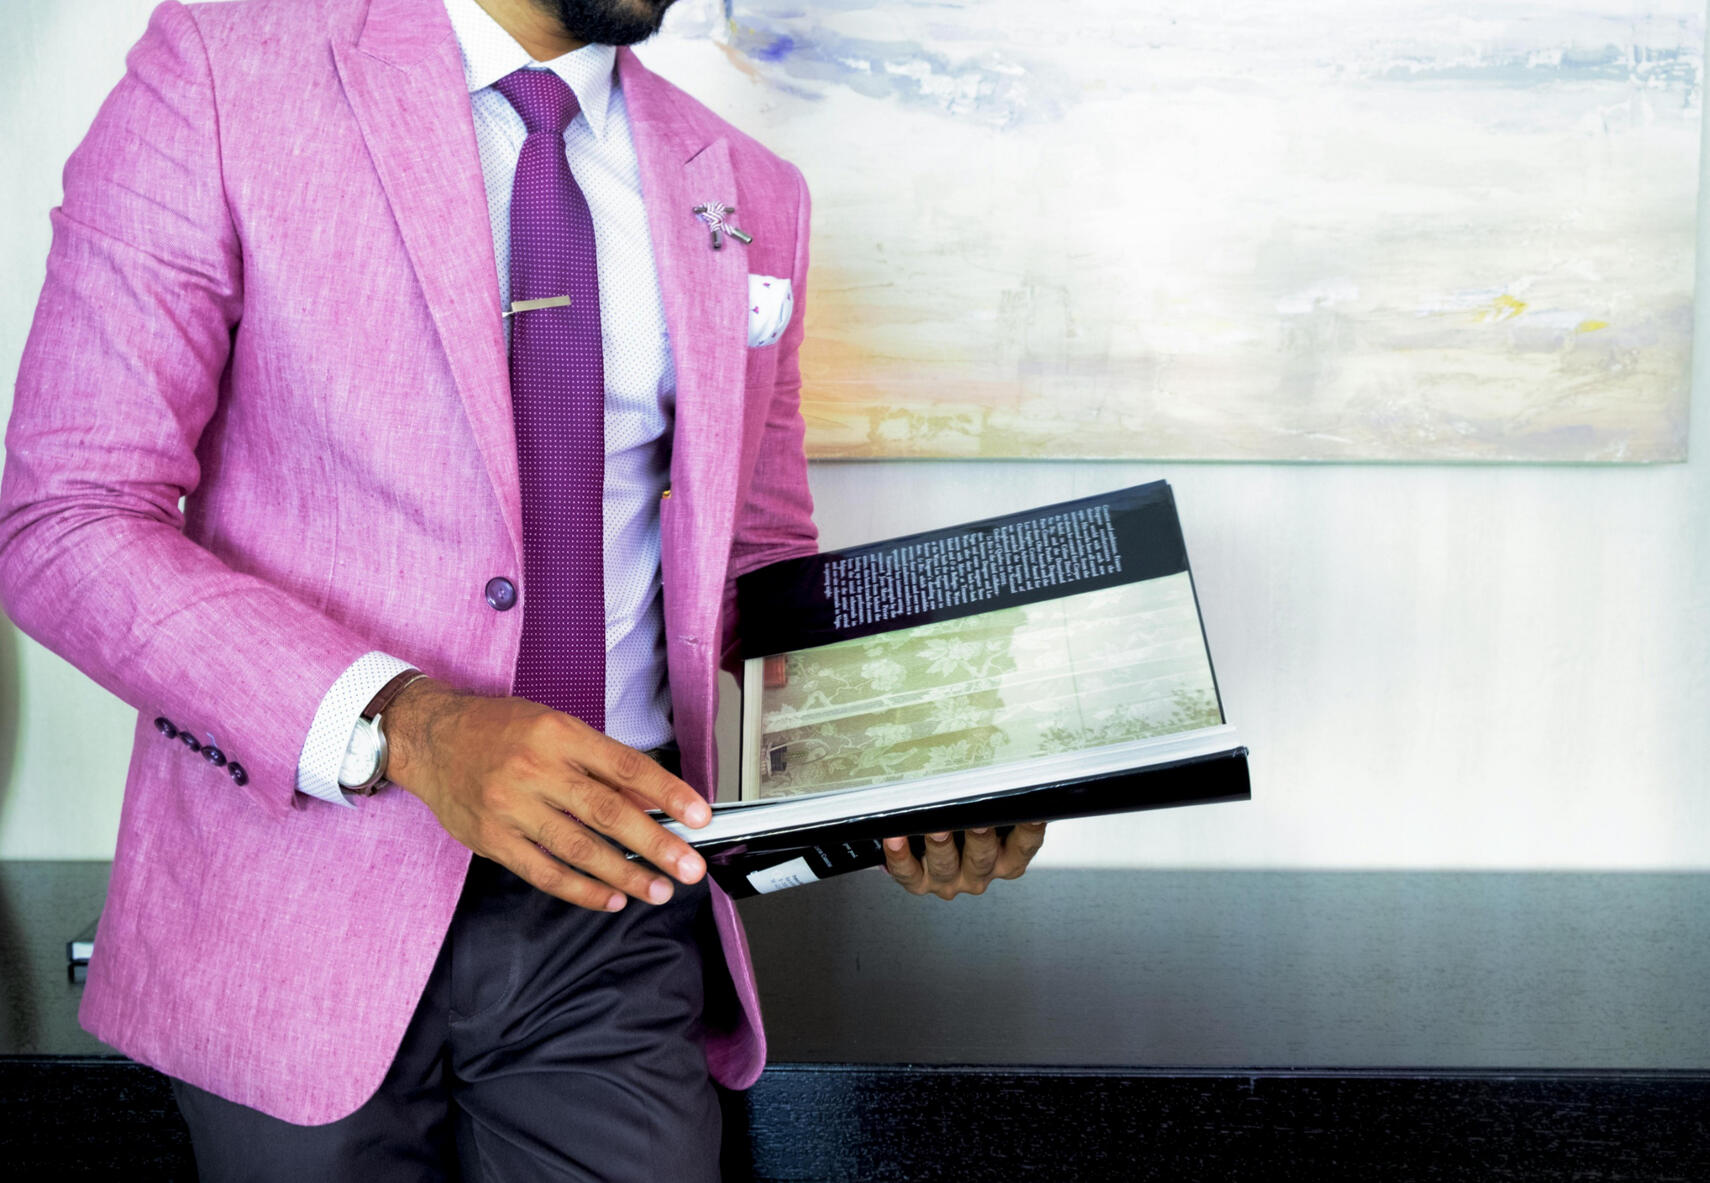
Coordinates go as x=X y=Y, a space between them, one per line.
x=1129 y=968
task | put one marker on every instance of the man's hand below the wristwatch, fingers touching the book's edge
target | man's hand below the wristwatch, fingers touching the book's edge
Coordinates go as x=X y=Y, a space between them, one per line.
x=534 y=789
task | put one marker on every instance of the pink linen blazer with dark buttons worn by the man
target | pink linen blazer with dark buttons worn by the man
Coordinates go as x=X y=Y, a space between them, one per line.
x=273 y=293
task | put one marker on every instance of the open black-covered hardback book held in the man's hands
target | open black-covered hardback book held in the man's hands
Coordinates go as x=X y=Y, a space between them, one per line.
x=1041 y=666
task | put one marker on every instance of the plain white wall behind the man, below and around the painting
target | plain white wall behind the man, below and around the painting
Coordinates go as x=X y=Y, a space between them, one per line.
x=1437 y=668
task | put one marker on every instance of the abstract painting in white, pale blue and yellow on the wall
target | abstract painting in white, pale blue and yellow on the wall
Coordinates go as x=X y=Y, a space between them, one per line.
x=1326 y=230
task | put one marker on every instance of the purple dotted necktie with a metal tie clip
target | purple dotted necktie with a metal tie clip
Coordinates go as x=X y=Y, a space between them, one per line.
x=558 y=403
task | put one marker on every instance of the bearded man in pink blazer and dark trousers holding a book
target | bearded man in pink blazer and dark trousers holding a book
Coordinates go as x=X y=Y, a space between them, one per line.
x=420 y=309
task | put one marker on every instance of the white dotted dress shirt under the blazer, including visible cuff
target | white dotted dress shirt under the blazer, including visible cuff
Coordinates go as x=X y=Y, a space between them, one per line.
x=640 y=386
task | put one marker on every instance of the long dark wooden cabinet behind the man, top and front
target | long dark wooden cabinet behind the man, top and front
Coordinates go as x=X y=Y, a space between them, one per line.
x=1087 y=1025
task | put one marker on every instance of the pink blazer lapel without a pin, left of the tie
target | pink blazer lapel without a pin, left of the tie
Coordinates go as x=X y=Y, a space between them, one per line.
x=404 y=79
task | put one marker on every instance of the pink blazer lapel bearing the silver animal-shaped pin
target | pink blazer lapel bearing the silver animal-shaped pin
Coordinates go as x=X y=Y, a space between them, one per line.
x=705 y=297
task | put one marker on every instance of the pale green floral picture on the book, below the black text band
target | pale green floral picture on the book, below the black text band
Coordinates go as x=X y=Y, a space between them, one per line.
x=1070 y=674
